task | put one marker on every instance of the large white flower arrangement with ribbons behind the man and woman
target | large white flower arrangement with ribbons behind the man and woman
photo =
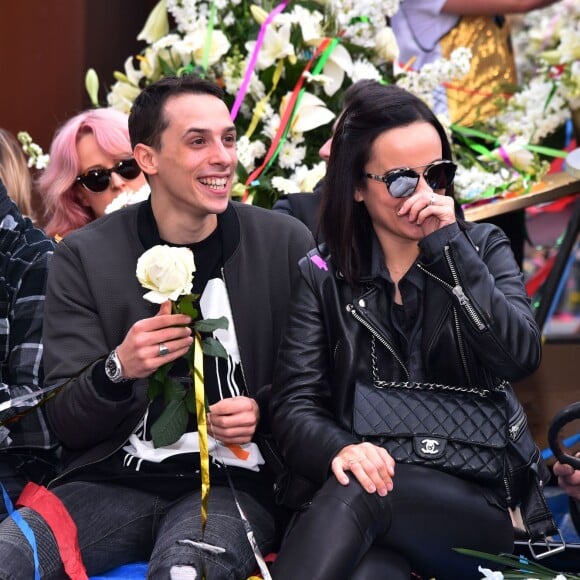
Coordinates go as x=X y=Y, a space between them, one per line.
x=319 y=47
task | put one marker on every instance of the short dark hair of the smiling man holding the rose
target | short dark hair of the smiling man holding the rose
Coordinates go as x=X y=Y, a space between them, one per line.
x=147 y=119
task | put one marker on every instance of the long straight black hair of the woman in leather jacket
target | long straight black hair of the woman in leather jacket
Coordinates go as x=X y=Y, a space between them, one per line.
x=372 y=110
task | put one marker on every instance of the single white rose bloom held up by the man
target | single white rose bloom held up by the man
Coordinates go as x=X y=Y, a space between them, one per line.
x=166 y=271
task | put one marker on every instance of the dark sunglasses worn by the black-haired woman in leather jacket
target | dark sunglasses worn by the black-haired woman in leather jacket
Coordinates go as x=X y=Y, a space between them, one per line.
x=403 y=182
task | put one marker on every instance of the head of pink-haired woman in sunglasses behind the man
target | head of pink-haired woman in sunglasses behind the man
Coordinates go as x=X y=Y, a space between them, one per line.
x=91 y=163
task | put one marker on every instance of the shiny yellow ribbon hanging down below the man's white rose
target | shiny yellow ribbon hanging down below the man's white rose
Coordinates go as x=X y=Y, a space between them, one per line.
x=201 y=427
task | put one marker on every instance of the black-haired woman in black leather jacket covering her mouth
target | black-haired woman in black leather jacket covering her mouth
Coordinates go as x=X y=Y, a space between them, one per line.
x=396 y=265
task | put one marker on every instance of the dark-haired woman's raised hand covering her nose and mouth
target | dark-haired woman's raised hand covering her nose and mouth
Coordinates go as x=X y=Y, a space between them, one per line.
x=430 y=211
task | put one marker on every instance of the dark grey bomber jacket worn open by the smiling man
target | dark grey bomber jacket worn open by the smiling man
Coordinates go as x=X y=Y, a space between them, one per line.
x=93 y=297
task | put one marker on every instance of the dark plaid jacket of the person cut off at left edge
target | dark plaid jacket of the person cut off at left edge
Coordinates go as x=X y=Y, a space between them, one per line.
x=25 y=253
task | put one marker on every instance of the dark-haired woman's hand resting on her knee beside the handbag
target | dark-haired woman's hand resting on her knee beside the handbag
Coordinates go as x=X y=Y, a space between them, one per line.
x=373 y=467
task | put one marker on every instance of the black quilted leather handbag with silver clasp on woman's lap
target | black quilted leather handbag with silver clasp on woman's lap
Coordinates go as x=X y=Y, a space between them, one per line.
x=471 y=431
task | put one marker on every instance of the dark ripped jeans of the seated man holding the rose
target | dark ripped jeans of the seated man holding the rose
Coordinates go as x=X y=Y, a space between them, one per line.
x=117 y=525
